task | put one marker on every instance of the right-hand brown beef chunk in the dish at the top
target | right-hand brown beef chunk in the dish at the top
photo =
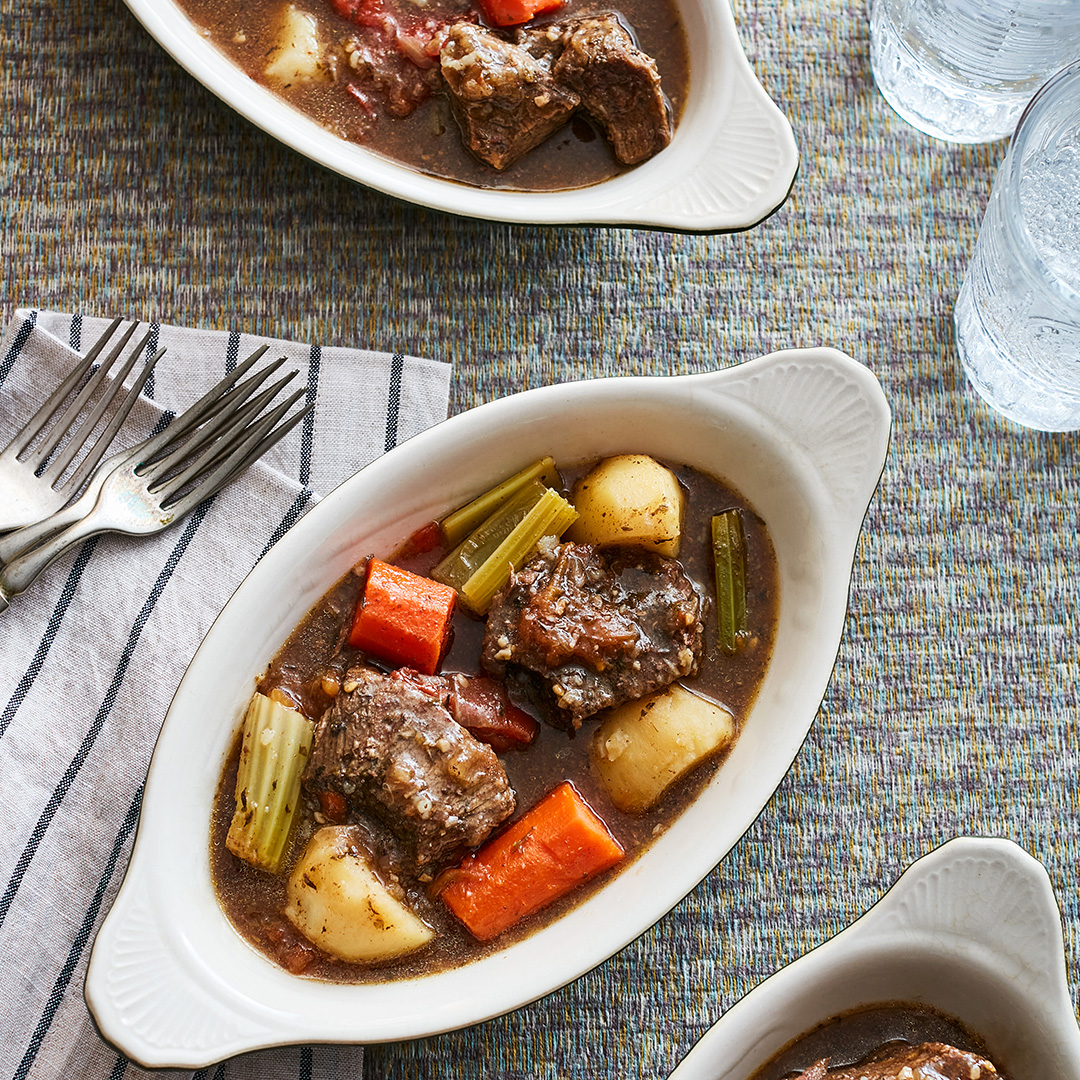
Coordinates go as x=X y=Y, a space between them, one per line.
x=619 y=86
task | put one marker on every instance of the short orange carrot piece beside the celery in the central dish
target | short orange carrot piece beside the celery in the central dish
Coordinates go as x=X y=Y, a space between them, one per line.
x=403 y=618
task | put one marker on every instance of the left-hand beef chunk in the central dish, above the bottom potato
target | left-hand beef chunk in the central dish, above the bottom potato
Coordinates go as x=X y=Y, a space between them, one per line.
x=388 y=747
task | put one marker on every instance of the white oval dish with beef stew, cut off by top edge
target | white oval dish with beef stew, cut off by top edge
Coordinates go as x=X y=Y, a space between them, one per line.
x=642 y=115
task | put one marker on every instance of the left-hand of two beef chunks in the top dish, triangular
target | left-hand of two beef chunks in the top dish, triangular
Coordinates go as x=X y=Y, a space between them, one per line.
x=505 y=99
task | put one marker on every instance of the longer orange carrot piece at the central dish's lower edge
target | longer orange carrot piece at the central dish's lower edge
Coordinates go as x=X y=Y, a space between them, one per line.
x=560 y=844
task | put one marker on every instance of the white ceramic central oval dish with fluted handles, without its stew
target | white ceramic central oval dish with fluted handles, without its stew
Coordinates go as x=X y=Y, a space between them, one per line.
x=804 y=435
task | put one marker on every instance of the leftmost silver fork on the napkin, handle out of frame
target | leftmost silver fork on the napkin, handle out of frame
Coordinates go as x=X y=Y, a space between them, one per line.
x=32 y=483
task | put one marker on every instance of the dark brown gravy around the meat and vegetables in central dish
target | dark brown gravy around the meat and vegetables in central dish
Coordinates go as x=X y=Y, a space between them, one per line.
x=254 y=900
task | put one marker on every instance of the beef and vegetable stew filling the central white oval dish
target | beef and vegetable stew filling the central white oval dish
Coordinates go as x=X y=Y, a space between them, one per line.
x=464 y=741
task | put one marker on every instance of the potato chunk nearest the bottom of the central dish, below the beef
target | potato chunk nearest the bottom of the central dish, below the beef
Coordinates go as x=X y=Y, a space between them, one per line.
x=339 y=903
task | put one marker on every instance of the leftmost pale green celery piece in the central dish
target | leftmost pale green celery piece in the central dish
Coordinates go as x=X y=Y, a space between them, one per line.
x=276 y=747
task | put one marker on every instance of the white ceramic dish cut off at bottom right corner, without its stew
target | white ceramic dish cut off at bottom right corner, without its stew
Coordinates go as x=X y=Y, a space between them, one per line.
x=971 y=929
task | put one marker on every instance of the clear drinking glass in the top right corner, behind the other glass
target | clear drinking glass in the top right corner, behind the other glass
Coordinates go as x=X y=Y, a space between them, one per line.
x=965 y=70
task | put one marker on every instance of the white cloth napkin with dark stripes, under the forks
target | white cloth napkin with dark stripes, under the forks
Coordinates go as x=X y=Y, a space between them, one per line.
x=92 y=653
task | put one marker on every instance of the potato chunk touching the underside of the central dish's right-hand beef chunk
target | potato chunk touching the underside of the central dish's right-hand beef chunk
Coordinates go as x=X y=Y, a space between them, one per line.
x=645 y=746
